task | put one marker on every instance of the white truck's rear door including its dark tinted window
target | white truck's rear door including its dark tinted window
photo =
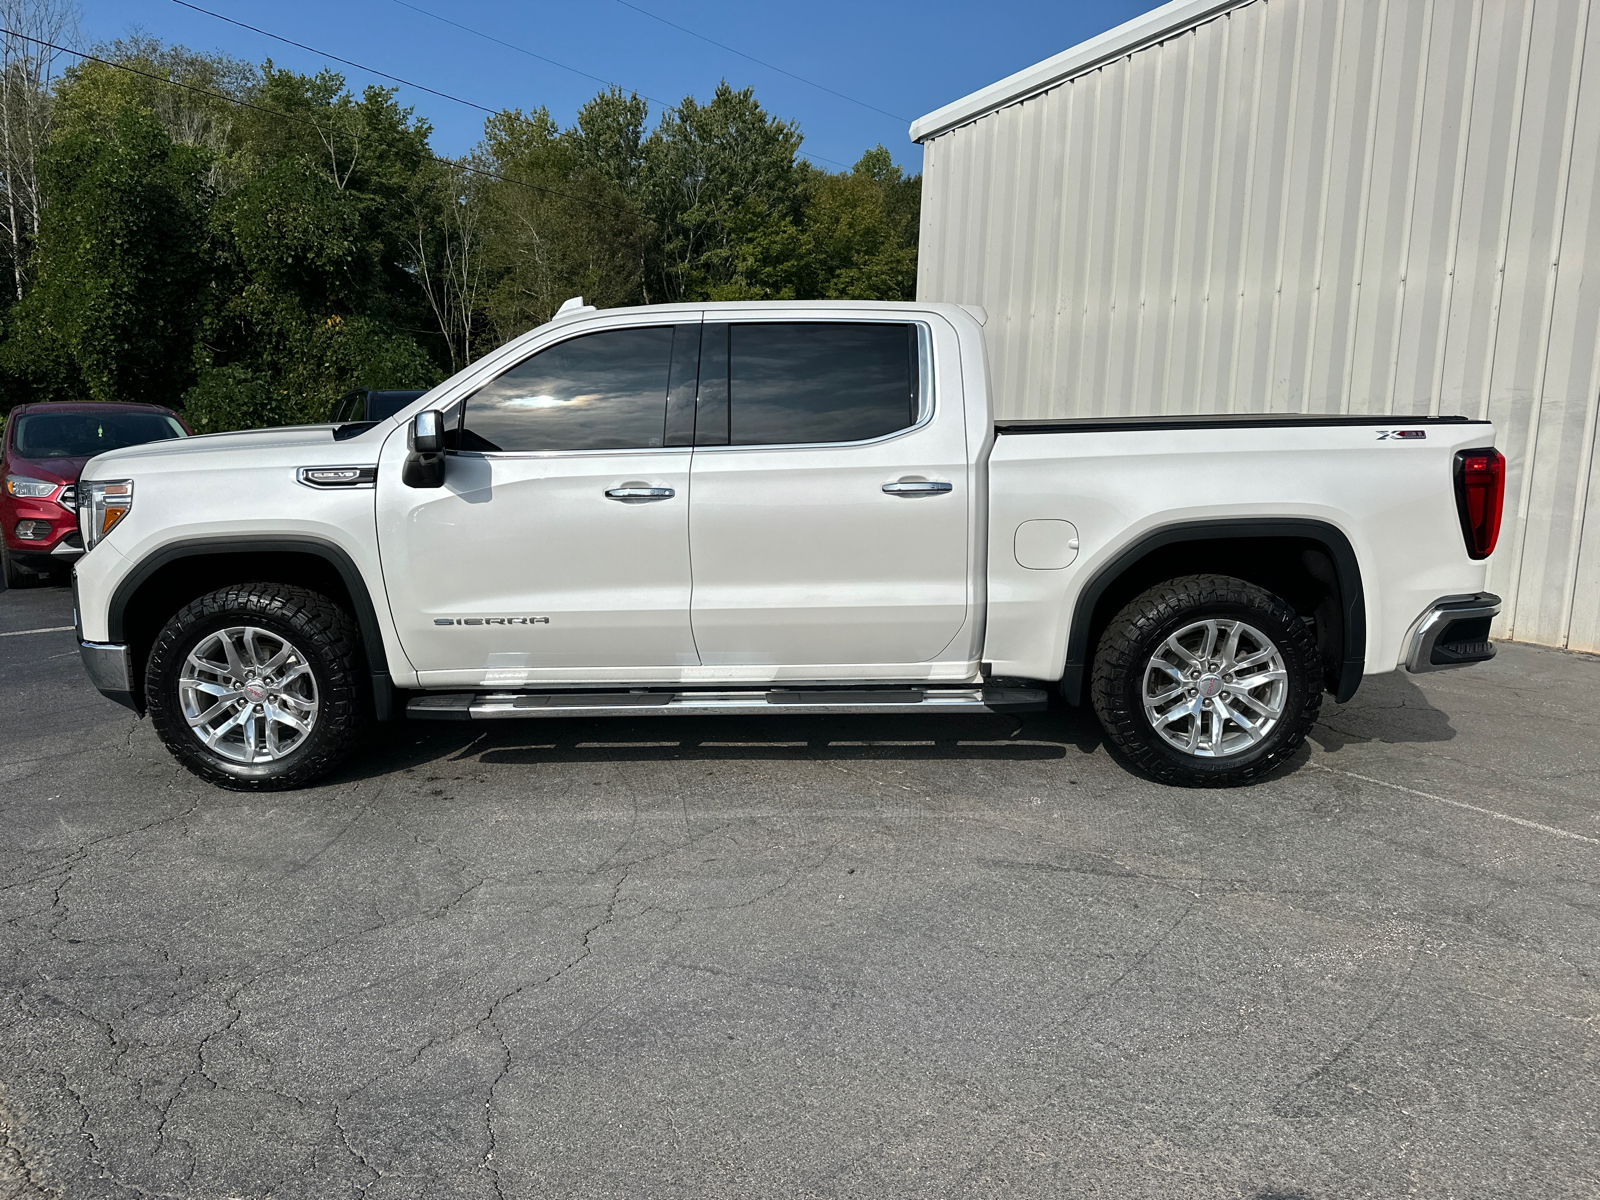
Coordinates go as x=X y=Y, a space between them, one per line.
x=830 y=518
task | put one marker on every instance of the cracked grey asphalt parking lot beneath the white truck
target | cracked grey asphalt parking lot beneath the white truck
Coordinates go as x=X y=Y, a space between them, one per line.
x=806 y=958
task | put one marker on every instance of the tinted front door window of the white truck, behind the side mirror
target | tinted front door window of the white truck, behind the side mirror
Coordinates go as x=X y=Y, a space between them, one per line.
x=602 y=391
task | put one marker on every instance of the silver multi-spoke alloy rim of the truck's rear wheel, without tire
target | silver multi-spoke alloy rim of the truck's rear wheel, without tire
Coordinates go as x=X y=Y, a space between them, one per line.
x=1215 y=689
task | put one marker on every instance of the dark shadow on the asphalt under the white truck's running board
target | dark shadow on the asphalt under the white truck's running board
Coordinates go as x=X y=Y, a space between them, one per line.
x=1055 y=735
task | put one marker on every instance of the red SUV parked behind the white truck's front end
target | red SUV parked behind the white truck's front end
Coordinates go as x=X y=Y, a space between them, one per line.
x=46 y=449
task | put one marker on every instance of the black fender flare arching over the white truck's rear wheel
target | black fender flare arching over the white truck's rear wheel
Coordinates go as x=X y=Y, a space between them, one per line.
x=1346 y=569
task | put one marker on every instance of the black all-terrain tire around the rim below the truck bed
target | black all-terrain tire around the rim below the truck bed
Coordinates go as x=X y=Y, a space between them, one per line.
x=1142 y=630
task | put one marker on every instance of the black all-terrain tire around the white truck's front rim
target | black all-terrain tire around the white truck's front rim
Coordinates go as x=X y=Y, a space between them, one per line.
x=322 y=633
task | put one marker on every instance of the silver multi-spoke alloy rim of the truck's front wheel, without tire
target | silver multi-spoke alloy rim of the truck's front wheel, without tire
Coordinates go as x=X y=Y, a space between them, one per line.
x=249 y=695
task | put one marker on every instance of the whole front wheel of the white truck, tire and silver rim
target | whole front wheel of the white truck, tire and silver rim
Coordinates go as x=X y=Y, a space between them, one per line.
x=257 y=687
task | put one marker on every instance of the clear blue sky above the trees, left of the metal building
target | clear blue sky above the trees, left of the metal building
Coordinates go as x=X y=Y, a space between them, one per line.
x=898 y=57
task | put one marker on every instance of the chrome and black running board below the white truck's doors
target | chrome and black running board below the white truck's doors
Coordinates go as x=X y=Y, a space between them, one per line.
x=460 y=706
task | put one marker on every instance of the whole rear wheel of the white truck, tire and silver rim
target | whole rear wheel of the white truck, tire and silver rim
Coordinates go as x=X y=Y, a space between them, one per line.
x=1207 y=682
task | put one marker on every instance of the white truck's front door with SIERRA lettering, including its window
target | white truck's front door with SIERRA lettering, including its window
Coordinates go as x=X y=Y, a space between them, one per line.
x=559 y=546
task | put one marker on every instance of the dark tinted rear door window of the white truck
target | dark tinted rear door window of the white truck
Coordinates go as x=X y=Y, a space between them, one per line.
x=820 y=383
